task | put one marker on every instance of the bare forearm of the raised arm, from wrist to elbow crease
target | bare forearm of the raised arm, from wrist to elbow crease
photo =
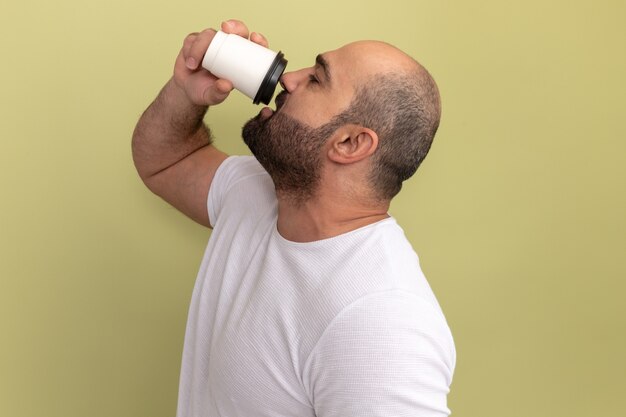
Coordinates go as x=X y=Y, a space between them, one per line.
x=169 y=130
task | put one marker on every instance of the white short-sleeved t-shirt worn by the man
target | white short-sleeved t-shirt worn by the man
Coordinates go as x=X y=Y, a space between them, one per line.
x=346 y=326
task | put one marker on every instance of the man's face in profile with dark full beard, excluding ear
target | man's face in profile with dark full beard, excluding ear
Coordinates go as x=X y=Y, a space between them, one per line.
x=289 y=141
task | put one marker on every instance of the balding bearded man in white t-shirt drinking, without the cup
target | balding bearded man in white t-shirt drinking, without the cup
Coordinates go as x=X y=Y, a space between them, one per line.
x=309 y=301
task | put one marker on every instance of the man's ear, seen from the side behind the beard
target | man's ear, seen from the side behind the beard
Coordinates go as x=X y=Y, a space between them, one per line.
x=352 y=143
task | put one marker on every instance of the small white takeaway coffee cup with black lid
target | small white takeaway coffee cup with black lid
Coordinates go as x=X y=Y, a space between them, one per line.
x=253 y=69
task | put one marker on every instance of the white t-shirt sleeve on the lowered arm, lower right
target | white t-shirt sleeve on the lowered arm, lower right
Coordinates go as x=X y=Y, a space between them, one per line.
x=388 y=354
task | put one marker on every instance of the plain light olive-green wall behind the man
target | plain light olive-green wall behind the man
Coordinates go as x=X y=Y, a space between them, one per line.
x=518 y=213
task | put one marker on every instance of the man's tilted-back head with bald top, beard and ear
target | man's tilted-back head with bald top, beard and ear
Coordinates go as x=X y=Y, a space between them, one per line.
x=366 y=112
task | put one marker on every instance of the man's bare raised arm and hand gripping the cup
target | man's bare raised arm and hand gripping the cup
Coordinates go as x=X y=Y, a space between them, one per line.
x=171 y=145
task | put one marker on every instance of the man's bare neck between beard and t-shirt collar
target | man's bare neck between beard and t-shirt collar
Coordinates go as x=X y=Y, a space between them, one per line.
x=324 y=216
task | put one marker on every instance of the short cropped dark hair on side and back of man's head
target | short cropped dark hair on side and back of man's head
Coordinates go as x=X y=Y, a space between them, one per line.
x=404 y=109
